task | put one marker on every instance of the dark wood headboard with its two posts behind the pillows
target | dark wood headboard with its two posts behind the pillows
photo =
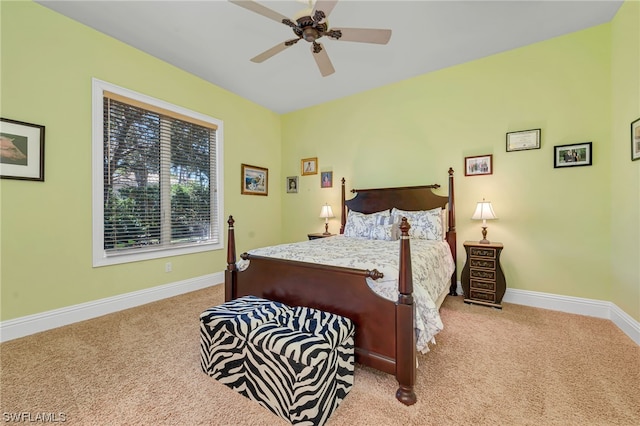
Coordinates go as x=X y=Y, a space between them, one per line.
x=405 y=198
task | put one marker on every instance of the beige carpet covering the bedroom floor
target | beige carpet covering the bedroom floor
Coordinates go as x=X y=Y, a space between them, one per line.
x=518 y=366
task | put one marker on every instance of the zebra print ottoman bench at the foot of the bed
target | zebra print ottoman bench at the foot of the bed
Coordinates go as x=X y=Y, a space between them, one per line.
x=297 y=362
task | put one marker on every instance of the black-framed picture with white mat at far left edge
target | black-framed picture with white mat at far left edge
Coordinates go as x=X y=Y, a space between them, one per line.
x=21 y=150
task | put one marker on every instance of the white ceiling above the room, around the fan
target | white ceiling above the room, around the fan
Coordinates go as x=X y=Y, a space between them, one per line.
x=215 y=39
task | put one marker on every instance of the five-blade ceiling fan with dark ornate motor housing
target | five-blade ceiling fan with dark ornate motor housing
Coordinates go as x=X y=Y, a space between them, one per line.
x=311 y=25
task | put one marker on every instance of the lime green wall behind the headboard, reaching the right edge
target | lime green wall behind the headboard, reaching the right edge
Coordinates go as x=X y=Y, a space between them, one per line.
x=560 y=226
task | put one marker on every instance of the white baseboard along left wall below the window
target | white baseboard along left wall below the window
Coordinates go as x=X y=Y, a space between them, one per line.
x=31 y=324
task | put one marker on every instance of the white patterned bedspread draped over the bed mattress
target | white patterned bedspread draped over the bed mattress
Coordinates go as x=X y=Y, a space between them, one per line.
x=431 y=264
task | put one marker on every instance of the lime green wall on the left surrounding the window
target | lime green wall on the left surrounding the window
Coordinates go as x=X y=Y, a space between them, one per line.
x=48 y=62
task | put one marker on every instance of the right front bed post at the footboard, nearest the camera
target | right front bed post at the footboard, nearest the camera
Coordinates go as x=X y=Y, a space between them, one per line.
x=405 y=324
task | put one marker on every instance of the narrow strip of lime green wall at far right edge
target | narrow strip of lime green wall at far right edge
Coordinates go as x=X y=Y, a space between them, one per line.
x=625 y=174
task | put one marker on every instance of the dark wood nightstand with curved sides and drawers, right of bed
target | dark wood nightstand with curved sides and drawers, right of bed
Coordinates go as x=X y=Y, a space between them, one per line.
x=482 y=278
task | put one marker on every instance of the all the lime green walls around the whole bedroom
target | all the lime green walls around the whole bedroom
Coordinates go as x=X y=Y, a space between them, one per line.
x=564 y=229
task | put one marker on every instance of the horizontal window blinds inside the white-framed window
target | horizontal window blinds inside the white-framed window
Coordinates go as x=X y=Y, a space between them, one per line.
x=158 y=171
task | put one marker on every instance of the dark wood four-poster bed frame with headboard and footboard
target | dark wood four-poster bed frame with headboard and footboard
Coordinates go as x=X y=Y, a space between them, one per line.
x=385 y=336
